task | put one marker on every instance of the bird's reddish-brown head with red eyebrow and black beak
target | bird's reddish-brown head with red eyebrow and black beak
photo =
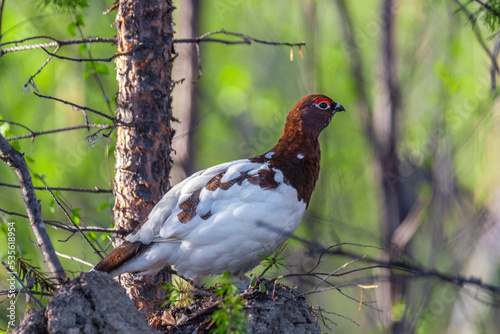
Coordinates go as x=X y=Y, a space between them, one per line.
x=312 y=114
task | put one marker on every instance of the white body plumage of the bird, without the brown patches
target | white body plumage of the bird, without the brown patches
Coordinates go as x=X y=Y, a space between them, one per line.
x=245 y=220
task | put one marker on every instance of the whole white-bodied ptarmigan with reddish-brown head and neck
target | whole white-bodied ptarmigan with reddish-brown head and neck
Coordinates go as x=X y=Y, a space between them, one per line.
x=221 y=218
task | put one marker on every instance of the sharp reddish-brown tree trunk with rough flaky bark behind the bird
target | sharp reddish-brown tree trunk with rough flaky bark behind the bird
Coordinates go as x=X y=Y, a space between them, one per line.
x=143 y=149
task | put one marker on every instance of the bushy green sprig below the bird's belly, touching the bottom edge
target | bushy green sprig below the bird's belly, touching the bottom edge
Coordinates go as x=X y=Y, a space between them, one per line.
x=230 y=317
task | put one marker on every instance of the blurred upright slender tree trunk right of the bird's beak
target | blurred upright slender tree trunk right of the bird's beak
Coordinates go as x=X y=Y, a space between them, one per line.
x=386 y=126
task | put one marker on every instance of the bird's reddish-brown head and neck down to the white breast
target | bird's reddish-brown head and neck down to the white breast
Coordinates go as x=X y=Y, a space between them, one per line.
x=297 y=154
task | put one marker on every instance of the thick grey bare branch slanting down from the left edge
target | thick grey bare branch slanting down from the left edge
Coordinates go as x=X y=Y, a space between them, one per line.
x=15 y=160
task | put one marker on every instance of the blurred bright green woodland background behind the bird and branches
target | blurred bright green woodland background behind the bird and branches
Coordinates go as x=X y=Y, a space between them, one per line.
x=243 y=97
